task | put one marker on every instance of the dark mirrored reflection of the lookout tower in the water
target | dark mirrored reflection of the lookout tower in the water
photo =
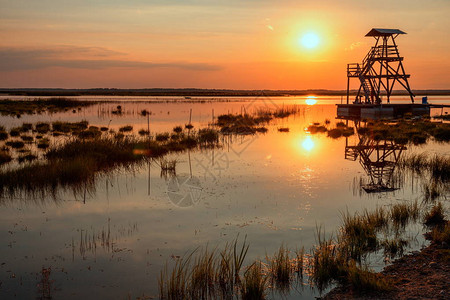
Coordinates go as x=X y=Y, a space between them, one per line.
x=378 y=158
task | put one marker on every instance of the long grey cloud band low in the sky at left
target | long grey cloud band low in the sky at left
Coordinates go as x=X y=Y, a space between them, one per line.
x=13 y=59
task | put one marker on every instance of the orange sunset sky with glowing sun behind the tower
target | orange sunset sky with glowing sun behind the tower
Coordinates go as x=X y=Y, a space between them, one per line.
x=233 y=44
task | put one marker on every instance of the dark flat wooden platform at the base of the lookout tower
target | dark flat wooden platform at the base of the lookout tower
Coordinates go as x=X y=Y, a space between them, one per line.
x=378 y=111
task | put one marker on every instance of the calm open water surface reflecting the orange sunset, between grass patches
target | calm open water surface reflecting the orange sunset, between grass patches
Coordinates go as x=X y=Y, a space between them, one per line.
x=274 y=188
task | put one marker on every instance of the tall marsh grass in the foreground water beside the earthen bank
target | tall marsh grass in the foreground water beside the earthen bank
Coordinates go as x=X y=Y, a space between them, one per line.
x=334 y=260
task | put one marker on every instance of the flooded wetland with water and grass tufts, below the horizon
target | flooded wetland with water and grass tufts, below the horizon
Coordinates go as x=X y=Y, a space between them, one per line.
x=166 y=197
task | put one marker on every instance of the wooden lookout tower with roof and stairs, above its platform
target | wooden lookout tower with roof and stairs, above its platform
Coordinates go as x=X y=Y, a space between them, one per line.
x=380 y=69
